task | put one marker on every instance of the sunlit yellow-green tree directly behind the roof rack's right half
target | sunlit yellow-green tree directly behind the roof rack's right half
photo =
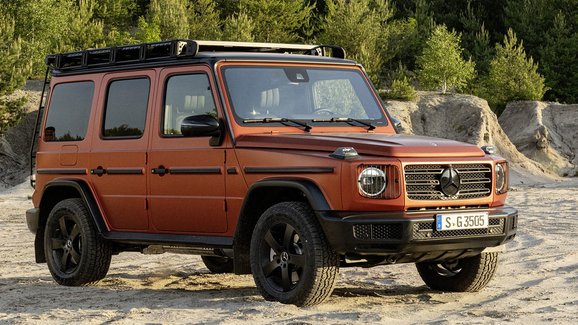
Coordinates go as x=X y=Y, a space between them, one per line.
x=282 y=21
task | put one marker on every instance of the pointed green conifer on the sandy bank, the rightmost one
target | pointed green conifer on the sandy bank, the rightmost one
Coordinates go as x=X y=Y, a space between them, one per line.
x=512 y=76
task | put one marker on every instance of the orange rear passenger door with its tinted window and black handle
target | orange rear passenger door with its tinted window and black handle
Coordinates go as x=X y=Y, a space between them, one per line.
x=120 y=140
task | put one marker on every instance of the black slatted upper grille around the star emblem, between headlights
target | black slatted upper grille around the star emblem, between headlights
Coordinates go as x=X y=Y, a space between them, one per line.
x=422 y=182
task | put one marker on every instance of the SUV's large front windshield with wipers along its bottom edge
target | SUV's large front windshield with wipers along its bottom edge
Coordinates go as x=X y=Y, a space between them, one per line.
x=318 y=96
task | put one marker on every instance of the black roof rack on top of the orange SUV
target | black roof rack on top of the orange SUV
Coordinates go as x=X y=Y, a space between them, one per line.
x=176 y=49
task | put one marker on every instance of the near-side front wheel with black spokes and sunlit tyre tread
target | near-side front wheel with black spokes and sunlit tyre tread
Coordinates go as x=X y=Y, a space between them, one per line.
x=290 y=258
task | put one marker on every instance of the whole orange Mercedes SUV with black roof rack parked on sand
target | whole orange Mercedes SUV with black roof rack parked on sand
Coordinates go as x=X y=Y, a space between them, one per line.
x=278 y=160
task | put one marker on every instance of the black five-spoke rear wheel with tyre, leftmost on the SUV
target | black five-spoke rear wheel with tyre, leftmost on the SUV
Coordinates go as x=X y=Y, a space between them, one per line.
x=75 y=253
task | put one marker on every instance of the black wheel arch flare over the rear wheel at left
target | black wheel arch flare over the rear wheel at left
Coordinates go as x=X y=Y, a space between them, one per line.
x=56 y=191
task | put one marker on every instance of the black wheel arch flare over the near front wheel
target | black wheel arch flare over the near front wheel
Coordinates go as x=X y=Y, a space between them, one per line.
x=262 y=195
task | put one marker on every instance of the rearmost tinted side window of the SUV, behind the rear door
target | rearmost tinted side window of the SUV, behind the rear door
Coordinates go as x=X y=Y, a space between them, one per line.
x=69 y=111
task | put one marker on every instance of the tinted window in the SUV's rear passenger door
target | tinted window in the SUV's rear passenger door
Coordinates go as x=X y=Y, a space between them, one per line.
x=126 y=108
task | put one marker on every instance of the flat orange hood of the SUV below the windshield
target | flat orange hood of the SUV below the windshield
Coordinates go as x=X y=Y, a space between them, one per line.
x=394 y=145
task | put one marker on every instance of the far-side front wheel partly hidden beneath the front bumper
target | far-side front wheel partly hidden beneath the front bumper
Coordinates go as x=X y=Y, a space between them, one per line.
x=469 y=274
